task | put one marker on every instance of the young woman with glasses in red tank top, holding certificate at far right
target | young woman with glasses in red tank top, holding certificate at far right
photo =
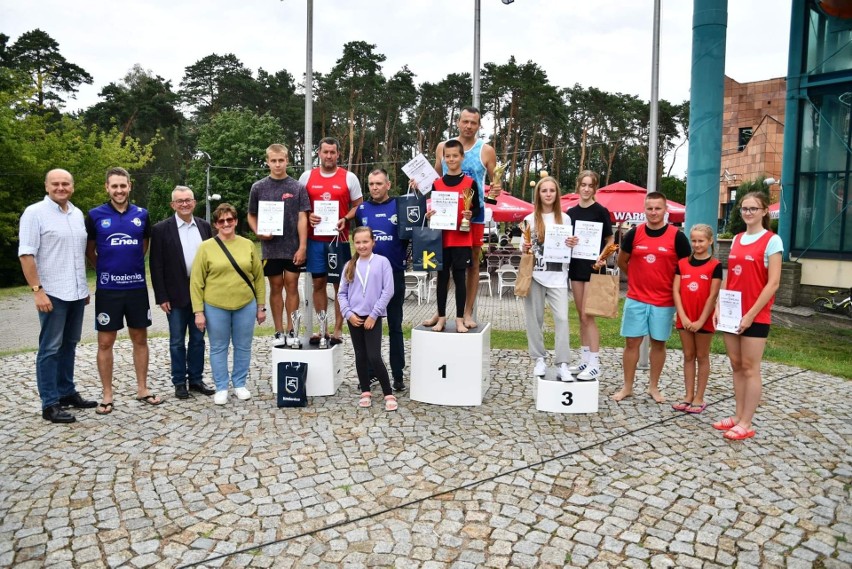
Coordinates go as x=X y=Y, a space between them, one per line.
x=754 y=271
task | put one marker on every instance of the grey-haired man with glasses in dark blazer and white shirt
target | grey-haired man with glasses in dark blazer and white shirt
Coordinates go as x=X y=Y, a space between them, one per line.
x=174 y=242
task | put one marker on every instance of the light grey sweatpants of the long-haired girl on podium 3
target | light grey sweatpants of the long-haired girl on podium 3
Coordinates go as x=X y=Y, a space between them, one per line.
x=557 y=302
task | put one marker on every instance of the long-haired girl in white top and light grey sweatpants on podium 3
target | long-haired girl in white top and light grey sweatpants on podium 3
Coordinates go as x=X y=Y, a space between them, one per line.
x=547 y=232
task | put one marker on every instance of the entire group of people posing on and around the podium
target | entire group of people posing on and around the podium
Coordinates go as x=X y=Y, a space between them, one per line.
x=215 y=284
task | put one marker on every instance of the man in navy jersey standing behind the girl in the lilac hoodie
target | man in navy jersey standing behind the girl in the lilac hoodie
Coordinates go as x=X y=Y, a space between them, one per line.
x=380 y=215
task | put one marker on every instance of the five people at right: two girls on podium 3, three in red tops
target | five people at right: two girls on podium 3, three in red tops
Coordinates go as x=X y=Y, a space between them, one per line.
x=671 y=278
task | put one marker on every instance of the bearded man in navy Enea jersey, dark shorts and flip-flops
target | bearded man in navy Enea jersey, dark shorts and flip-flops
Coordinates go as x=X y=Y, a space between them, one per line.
x=118 y=233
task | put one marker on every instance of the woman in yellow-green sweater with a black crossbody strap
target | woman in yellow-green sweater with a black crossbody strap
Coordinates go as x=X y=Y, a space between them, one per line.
x=226 y=302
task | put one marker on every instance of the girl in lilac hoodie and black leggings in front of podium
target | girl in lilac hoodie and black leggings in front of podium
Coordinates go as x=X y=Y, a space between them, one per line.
x=365 y=290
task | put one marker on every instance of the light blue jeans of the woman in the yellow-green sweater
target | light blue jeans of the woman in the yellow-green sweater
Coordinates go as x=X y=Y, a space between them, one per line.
x=223 y=328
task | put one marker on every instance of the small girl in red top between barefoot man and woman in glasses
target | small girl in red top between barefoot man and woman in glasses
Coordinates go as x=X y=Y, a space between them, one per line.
x=696 y=286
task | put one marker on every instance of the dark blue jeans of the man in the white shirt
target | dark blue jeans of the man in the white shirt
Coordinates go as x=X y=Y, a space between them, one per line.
x=57 y=343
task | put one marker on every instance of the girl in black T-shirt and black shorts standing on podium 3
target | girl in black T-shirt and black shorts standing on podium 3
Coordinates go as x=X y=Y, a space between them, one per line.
x=595 y=221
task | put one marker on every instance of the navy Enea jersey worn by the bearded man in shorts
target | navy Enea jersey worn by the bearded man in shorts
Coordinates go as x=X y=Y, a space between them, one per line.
x=120 y=242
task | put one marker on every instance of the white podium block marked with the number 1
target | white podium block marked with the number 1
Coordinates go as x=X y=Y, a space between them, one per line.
x=448 y=368
